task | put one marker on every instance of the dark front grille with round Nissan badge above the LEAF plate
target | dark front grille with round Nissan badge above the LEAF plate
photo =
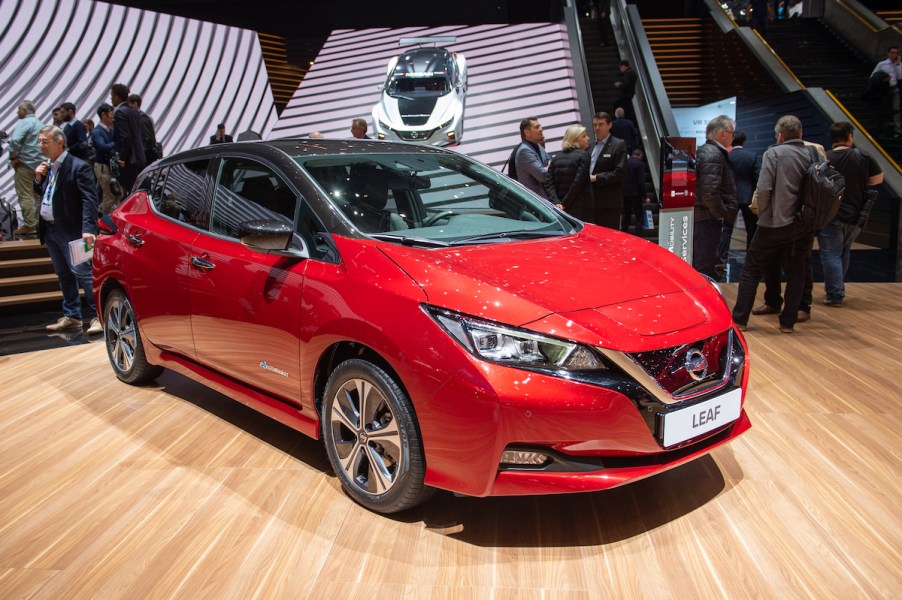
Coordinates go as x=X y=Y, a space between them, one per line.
x=679 y=369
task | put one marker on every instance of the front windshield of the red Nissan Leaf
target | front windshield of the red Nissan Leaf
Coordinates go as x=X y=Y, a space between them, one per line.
x=432 y=200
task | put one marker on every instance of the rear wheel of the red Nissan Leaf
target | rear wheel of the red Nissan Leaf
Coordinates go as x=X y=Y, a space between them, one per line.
x=123 y=341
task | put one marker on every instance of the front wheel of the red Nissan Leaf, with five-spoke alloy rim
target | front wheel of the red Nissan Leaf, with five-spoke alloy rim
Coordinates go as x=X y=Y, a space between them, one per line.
x=372 y=439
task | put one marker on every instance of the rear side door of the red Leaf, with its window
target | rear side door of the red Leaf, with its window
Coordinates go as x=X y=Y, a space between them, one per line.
x=159 y=240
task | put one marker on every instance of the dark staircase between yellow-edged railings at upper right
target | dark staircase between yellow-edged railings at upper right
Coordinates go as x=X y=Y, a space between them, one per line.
x=820 y=59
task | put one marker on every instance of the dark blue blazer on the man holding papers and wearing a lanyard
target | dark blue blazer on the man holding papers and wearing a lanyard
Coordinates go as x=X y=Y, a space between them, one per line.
x=74 y=199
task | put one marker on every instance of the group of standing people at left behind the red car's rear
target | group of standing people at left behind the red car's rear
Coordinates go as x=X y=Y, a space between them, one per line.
x=69 y=172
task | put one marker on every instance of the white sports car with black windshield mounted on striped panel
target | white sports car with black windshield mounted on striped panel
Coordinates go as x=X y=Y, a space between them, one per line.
x=423 y=98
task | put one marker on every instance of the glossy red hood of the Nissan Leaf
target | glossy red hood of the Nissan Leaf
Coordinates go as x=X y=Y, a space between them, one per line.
x=604 y=287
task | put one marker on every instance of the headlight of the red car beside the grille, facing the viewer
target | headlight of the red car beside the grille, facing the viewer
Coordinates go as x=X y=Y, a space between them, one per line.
x=514 y=347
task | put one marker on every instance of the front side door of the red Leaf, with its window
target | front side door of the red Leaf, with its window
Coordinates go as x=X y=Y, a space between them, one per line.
x=245 y=304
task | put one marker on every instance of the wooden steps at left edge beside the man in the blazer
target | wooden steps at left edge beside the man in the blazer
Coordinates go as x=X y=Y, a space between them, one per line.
x=27 y=281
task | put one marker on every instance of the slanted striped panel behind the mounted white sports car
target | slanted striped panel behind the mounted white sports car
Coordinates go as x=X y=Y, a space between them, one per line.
x=514 y=71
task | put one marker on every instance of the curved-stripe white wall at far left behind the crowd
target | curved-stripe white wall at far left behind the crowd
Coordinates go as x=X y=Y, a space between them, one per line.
x=190 y=74
